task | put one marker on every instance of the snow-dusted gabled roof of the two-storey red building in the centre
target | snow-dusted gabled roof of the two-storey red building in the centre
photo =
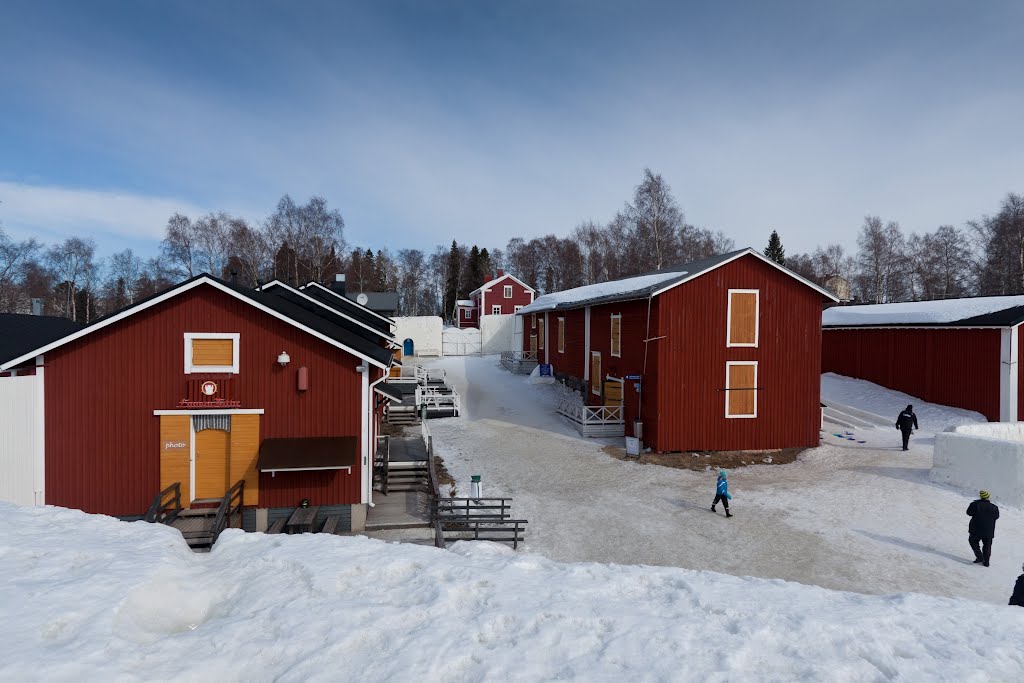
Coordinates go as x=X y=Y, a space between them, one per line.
x=652 y=284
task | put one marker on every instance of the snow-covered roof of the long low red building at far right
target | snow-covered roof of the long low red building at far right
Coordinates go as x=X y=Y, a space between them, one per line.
x=979 y=312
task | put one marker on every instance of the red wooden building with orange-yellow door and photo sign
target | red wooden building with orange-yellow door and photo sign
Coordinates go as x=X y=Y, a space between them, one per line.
x=207 y=385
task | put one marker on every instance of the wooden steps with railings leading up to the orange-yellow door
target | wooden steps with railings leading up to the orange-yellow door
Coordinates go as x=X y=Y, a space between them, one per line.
x=202 y=524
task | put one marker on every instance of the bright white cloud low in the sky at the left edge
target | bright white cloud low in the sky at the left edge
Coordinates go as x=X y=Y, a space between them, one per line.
x=55 y=211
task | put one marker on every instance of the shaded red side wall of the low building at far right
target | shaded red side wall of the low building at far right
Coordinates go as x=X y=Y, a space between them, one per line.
x=951 y=367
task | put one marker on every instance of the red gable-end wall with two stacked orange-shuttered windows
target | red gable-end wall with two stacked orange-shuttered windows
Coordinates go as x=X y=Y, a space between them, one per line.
x=693 y=355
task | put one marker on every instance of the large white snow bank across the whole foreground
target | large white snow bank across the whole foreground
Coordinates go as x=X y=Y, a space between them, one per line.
x=94 y=599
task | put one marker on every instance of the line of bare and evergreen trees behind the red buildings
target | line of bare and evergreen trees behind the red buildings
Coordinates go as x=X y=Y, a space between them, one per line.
x=298 y=243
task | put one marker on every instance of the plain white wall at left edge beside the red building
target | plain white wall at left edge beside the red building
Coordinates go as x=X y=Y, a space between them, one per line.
x=21 y=446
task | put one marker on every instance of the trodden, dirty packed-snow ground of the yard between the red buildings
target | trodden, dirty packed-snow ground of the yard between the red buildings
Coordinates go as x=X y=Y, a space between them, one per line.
x=847 y=517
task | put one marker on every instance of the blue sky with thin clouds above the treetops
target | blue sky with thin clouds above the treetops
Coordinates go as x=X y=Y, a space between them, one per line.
x=431 y=121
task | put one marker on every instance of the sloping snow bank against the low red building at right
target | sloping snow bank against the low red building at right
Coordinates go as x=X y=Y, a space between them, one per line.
x=888 y=404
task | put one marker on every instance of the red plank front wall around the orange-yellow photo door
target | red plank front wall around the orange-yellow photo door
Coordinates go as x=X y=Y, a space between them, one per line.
x=103 y=448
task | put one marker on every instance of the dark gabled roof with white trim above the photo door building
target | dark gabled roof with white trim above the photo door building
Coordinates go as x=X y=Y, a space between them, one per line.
x=290 y=313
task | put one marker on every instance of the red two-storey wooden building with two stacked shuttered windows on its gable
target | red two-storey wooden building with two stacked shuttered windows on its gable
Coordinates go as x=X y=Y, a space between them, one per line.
x=712 y=356
